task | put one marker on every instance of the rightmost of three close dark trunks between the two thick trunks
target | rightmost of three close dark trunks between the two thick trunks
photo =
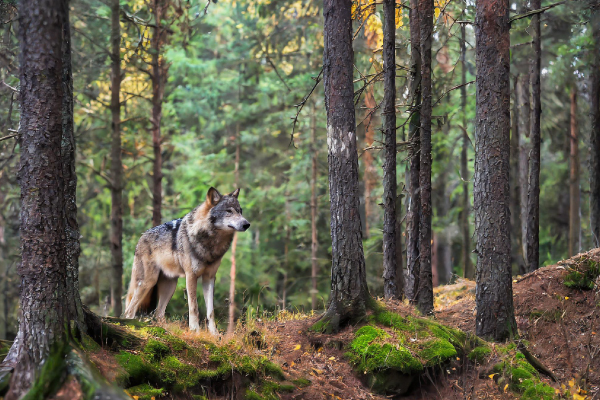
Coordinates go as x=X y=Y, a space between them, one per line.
x=425 y=288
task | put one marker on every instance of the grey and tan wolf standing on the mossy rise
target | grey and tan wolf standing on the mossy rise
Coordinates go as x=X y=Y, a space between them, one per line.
x=190 y=247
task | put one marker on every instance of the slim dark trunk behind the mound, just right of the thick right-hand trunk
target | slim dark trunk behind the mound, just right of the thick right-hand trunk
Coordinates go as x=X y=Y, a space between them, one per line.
x=533 y=202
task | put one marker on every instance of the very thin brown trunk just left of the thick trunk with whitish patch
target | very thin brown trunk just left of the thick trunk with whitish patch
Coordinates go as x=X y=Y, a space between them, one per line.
x=313 y=209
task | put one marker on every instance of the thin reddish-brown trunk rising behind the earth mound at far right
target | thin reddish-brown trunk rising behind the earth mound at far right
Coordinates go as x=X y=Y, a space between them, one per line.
x=574 y=196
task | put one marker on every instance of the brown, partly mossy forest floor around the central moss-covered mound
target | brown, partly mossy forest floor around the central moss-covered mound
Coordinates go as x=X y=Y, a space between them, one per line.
x=279 y=357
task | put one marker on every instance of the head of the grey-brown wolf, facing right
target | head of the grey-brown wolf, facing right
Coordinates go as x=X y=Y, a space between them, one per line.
x=225 y=211
